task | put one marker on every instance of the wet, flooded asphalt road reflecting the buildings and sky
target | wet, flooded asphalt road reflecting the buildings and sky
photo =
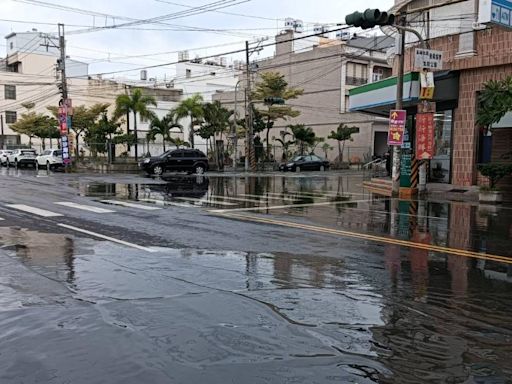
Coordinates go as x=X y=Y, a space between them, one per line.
x=228 y=279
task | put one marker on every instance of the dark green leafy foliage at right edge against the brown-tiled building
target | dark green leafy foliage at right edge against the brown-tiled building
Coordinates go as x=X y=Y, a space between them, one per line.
x=495 y=100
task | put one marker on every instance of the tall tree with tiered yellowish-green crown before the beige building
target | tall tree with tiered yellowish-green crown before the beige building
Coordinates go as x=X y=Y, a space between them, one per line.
x=273 y=84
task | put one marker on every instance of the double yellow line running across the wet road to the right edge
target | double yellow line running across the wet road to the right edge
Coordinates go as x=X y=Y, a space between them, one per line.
x=379 y=239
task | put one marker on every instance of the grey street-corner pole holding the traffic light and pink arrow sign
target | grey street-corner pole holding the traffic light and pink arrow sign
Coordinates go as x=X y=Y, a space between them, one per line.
x=395 y=174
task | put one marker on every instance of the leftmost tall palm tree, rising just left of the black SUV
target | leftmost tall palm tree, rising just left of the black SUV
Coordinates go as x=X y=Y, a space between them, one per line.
x=137 y=103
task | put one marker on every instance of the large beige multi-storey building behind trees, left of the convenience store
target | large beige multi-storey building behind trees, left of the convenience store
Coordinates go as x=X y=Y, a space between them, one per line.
x=325 y=69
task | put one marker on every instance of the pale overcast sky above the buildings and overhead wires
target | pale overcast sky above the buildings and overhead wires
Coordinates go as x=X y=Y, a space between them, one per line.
x=247 y=20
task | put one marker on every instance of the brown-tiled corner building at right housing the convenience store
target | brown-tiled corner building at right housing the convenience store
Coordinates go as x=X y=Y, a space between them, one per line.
x=473 y=54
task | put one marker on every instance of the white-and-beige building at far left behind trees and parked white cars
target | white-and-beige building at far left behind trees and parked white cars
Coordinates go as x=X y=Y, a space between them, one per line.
x=28 y=74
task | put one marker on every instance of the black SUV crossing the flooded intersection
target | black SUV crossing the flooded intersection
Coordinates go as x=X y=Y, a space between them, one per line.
x=178 y=160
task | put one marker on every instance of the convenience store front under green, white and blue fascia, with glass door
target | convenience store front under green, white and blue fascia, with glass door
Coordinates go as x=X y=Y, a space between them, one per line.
x=379 y=98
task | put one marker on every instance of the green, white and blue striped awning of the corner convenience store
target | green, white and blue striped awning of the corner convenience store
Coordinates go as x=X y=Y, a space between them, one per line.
x=379 y=98
